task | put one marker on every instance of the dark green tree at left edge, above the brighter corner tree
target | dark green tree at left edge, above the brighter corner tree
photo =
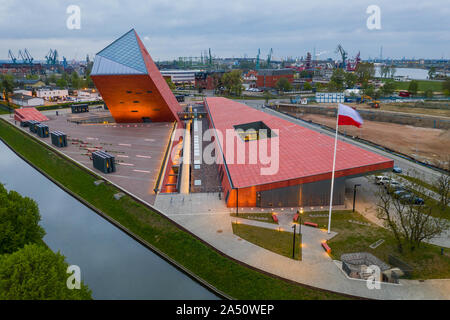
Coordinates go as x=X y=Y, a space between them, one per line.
x=19 y=221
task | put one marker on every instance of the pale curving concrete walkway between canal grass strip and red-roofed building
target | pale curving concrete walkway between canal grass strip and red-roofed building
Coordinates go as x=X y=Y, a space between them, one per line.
x=206 y=216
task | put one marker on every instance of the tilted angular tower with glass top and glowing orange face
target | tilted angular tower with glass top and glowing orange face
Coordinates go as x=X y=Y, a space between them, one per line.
x=130 y=83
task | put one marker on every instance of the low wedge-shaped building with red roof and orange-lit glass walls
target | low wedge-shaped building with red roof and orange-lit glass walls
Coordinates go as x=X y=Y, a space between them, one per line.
x=304 y=160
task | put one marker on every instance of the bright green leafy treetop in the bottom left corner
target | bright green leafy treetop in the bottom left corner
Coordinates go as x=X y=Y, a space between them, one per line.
x=37 y=273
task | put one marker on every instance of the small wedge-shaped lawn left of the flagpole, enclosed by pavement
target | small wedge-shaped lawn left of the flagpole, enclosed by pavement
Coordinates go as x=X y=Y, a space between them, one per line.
x=280 y=242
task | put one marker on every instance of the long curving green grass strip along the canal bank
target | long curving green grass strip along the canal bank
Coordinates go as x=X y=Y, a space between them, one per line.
x=230 y=277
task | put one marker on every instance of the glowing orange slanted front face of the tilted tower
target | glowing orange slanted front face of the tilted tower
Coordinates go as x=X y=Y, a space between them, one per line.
x=129 y=100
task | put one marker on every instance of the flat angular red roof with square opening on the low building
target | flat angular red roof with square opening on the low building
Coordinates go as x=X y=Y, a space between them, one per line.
x=304 y=154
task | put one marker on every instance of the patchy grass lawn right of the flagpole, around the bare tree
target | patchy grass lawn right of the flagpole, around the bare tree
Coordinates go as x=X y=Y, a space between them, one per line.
x=426 y=260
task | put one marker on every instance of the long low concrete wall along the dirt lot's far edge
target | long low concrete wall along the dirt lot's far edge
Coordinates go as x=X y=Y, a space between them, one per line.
x=392 y=117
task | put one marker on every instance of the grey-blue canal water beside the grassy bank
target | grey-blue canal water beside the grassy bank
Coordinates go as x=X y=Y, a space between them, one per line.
x=113 y=265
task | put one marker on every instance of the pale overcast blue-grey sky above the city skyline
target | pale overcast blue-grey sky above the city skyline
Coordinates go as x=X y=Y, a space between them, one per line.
x=170 y=29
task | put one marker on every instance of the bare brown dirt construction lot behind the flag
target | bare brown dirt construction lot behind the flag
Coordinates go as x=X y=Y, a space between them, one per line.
x=424 y=144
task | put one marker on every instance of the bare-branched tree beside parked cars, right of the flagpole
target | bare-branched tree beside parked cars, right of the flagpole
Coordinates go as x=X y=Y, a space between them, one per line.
x=411 y=224
